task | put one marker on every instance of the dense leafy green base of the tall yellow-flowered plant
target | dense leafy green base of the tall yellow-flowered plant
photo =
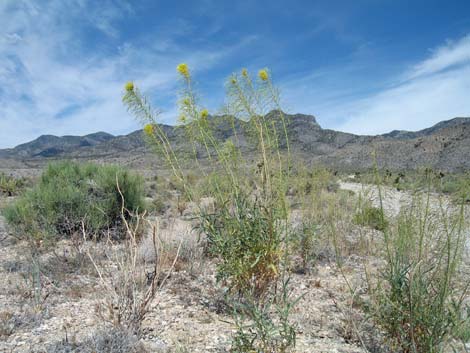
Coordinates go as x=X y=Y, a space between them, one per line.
x=247 y=242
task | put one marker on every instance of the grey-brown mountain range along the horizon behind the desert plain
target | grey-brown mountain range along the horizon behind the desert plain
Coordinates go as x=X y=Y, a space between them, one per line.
x=444 y=146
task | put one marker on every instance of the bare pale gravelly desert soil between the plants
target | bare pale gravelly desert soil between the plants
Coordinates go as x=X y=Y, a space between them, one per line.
x=189 y=311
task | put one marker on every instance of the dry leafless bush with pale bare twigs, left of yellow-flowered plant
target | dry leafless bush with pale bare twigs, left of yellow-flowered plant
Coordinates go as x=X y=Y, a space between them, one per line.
x=129 y=285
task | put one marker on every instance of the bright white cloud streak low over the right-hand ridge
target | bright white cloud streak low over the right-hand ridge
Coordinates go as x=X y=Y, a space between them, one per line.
x=417 y=104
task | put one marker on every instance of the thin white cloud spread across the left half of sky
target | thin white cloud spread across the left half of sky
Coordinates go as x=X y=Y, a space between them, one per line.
x=53 y=83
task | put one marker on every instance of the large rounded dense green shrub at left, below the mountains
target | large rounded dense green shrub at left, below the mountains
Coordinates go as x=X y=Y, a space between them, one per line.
x=70 y=195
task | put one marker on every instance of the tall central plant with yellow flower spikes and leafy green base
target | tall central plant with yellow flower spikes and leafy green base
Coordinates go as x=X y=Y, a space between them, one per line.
x=247 y=234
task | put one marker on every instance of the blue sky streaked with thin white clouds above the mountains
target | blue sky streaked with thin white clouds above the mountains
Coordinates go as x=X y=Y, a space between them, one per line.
x=364 y=66
